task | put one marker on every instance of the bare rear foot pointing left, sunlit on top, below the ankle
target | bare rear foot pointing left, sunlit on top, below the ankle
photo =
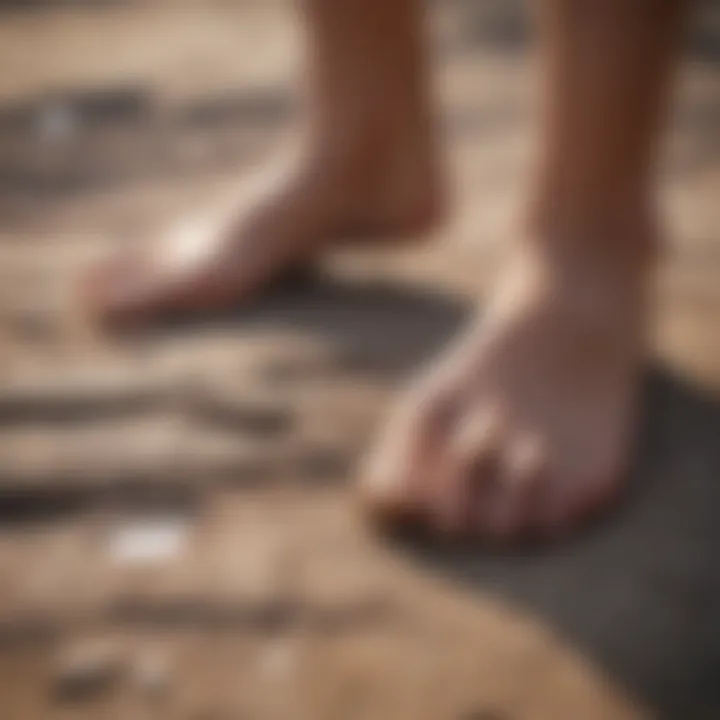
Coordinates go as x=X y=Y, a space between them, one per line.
x=207 y=262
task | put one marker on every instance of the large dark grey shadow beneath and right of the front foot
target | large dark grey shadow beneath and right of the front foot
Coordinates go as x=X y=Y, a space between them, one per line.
x=639 y=593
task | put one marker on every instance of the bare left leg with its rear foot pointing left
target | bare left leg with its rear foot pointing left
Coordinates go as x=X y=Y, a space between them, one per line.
x=367 y=166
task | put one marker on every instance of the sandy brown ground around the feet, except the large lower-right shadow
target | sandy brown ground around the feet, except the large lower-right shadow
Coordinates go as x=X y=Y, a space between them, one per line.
x=177 y=540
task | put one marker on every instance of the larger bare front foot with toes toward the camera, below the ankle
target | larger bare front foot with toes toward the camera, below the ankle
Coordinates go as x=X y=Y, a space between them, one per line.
x=527 y=425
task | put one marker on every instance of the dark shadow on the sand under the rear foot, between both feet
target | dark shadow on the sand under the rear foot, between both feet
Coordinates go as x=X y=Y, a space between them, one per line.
x=374 y=327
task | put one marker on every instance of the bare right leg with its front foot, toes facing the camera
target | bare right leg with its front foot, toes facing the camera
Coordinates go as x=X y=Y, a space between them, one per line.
x=528 y=424
